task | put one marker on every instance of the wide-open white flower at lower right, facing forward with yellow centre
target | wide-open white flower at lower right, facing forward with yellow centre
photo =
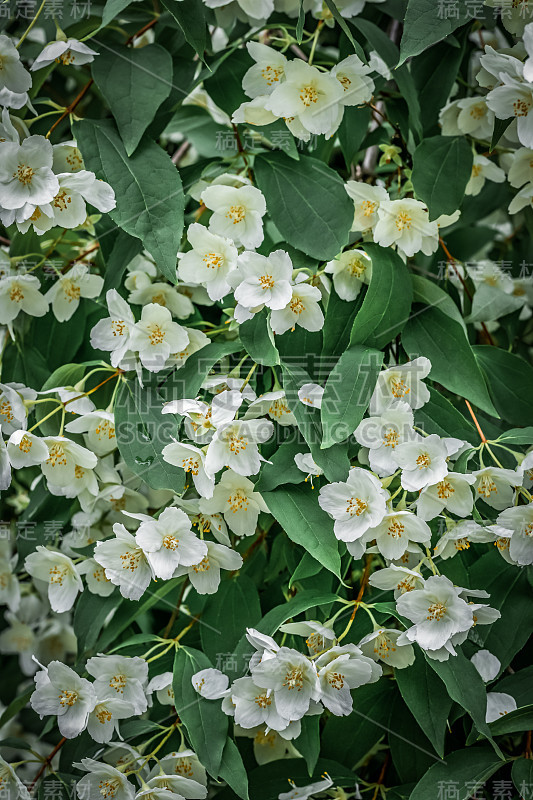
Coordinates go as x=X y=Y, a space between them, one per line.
x=437 y=611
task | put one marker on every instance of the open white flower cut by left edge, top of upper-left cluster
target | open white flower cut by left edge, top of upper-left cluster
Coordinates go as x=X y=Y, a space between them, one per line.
x=26 y=173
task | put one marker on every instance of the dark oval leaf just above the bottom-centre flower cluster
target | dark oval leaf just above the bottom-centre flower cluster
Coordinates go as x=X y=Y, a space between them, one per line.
x=234 y=607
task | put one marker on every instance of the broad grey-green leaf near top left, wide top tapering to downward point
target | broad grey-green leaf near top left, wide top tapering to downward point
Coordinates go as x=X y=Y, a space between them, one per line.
x=134 y=83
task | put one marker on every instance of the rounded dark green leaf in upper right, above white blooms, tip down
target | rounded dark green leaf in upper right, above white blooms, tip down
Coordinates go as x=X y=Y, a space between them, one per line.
x=442 y=166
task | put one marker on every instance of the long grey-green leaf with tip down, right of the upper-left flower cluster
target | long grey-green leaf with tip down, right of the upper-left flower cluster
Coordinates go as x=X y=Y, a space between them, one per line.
x=147 y=188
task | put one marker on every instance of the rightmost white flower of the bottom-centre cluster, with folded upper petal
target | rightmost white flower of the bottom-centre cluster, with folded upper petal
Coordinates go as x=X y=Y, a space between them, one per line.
x=340 y=669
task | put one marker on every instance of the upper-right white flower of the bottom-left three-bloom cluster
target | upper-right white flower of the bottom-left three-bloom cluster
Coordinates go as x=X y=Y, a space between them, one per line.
x=120 y=677
